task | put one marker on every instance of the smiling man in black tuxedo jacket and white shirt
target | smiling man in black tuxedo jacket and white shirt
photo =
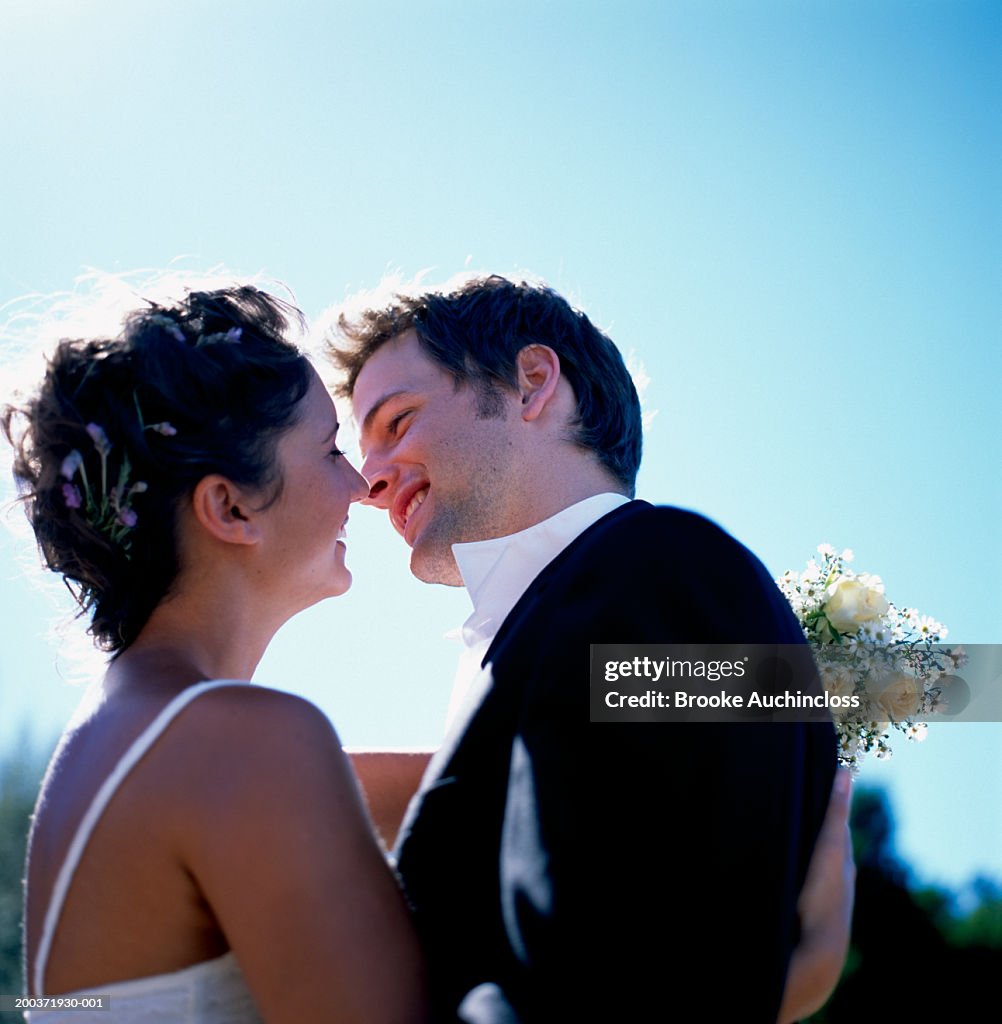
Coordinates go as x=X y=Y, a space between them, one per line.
x=559 y=870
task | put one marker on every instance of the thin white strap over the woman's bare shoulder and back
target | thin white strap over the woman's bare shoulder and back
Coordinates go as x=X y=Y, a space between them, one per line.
x=129 y=760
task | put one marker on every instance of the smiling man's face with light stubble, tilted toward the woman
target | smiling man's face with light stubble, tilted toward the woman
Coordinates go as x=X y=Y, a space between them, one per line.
x=445 y=474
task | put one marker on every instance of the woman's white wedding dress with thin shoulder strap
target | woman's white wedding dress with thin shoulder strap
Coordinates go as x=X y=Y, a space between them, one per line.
x=211 y=993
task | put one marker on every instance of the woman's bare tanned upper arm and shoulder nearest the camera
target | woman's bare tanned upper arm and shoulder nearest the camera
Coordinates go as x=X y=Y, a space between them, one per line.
x=283 y=850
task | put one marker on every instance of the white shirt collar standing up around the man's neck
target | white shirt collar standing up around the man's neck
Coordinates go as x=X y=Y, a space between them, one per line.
x=497 y=573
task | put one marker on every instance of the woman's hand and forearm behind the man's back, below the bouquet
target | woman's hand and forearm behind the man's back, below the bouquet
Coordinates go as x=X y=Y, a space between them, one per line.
x=825 y=908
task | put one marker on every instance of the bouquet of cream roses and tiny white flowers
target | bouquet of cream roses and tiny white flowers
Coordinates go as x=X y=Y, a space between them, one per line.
x=886 y=664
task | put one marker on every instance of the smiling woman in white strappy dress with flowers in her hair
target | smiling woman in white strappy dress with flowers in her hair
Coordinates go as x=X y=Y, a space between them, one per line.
x=200 y=851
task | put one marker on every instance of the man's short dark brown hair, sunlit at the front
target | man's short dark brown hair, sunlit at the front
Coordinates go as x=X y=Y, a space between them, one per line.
x=476 y=332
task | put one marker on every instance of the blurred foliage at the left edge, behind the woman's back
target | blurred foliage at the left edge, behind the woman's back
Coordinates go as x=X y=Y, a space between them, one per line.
x=21 y=774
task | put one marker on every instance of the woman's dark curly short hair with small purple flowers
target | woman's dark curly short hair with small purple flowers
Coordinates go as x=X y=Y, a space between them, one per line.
x=122 y=430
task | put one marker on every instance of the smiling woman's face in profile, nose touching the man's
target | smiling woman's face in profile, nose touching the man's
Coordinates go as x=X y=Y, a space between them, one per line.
x=304 y=530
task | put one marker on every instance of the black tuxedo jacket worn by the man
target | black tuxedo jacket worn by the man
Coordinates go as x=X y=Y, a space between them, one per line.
x=561 y=870
